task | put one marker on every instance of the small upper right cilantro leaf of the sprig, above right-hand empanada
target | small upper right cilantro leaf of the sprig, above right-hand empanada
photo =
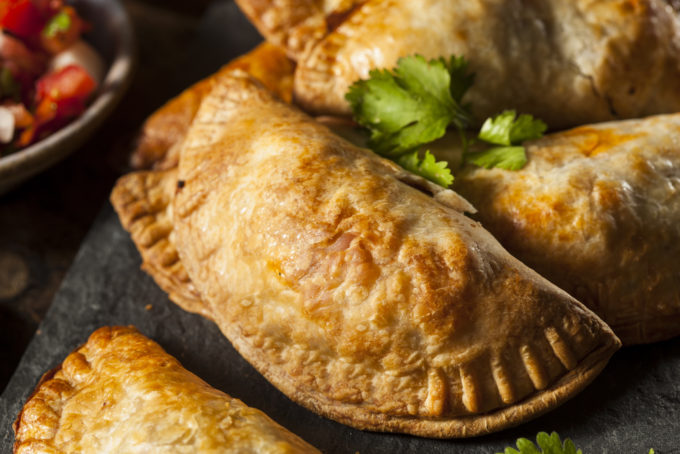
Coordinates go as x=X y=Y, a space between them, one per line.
x=505 y=129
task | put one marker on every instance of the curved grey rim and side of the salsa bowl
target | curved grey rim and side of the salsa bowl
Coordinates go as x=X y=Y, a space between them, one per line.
x=18 y=166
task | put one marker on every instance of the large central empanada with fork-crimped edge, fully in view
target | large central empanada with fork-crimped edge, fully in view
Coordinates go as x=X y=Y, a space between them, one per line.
x=361 y=291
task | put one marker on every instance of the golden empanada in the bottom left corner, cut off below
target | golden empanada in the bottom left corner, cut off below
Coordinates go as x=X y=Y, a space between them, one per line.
x=121 y=392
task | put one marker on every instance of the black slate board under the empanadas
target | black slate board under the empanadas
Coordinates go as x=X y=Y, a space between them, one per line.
x=634 y=405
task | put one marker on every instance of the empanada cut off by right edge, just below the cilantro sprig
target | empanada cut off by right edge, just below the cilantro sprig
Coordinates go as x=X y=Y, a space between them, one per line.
x=597 y=211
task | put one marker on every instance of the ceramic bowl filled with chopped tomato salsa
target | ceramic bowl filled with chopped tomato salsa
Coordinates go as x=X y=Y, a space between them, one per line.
x=73 y=61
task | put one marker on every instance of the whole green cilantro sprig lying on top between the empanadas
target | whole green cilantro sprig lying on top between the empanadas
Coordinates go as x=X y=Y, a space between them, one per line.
x=416 y=102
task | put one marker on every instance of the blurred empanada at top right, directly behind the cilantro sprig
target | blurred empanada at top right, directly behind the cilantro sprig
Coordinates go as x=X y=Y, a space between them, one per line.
x=568 y=62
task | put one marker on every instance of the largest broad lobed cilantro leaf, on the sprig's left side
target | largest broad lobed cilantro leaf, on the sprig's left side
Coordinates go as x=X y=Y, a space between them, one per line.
x=412 y=105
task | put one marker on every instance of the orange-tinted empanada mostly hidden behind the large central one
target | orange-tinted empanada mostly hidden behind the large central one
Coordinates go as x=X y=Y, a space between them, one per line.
x=163 y=132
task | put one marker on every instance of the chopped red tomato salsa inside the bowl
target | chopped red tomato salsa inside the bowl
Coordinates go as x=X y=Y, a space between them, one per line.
x=47 y=72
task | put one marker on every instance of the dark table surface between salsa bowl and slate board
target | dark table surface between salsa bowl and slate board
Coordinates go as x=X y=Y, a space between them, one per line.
x=43 y=222
